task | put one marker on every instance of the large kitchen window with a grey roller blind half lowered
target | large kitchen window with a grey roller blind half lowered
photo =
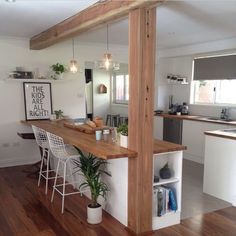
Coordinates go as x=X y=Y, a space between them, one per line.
x=214 y=80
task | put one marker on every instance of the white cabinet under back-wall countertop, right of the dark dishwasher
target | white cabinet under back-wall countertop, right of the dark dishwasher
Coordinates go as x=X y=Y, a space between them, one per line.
x=194 y=139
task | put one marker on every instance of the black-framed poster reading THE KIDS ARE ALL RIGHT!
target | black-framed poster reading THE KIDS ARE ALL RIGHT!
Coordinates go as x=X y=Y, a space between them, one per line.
x=38 y=100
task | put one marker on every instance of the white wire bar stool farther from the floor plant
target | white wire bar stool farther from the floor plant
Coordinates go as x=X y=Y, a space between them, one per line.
x=42 y=141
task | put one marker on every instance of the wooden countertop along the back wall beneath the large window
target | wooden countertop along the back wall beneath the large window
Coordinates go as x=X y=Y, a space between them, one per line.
x=197 y=118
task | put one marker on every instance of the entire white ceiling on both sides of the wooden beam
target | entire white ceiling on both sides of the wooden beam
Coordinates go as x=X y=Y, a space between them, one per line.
x=179 y=23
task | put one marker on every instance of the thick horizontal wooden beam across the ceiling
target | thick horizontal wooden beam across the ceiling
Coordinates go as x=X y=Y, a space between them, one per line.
x=97 y=14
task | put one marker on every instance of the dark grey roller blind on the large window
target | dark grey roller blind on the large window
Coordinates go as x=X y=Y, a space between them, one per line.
x=215 y=68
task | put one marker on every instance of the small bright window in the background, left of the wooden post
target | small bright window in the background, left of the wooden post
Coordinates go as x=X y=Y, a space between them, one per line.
x=121 y=88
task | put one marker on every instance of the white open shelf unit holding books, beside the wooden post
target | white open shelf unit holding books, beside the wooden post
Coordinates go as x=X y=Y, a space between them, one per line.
x=175 y=161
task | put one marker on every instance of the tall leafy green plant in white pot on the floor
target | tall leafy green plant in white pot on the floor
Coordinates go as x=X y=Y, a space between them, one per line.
x=92 y=168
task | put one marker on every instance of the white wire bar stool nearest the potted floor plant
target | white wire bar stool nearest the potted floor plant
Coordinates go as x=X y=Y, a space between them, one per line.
x=58 y=149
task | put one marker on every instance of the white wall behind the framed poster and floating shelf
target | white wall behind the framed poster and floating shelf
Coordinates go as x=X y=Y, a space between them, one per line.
x=67 y=95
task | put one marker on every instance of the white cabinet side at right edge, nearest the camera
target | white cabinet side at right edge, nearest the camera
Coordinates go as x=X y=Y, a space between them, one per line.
x=220 y=168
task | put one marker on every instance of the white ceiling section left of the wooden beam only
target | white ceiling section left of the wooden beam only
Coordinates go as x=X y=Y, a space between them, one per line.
x=26 y=18
